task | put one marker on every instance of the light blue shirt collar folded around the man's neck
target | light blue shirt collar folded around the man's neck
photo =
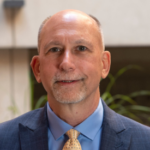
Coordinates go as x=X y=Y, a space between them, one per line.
x=58 y=127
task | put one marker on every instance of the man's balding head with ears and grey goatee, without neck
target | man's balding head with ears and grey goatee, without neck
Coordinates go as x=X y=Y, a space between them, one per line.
x=71 y=60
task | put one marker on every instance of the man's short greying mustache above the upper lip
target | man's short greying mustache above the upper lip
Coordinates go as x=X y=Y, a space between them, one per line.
x=66 y=76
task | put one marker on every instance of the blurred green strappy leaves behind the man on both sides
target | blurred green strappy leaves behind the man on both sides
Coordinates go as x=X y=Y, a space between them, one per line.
x=122 y=104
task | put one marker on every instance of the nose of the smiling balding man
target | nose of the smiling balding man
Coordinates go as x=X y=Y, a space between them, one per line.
x=67 y=62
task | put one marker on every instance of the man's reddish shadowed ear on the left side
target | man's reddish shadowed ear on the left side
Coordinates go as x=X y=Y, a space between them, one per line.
x=35 y=65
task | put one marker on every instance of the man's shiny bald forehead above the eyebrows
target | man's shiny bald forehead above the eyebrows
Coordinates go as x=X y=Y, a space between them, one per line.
x=69 y=25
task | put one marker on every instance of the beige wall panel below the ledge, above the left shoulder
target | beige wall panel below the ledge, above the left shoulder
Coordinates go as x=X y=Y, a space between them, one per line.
x=14 y=83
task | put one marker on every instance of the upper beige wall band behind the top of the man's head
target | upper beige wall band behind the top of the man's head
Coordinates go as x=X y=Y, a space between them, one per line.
x=124 y=22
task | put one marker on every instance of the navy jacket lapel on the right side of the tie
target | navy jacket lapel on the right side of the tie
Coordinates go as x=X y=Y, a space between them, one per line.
x=115 y=136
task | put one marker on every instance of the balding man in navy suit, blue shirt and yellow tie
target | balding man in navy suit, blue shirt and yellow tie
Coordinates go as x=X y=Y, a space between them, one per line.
x=70 y=65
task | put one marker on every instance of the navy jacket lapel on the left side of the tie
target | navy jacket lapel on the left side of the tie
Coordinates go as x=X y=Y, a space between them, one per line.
x=33 y=133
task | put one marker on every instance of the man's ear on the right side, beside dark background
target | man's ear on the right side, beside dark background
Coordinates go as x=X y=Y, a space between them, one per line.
x=106 y=62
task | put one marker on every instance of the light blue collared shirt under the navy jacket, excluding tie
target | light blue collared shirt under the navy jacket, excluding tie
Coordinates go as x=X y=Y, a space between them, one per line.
x=90 y=130
